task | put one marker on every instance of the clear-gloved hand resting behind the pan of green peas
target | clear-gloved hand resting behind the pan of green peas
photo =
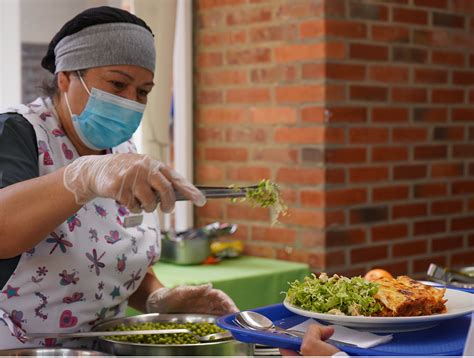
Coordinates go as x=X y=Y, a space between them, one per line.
x=190 y=299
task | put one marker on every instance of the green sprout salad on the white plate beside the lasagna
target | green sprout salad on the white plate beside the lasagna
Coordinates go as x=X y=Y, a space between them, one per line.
x=336 y=295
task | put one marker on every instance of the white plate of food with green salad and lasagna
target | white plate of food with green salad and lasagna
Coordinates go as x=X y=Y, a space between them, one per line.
x=383 y=305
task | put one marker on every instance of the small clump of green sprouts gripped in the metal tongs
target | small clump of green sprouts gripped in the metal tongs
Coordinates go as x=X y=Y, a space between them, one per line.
x=265 y=195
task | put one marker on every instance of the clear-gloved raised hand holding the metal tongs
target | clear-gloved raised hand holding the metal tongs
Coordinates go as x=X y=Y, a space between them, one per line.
x=133 y=180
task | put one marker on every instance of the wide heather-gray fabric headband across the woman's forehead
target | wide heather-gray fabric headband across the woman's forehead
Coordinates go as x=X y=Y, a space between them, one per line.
x=106 y=45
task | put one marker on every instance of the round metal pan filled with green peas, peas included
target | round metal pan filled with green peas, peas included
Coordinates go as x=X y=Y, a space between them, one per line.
x=179 y=344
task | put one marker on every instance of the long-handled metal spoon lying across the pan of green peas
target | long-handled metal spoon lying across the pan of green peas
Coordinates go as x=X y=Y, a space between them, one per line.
x=207 y=338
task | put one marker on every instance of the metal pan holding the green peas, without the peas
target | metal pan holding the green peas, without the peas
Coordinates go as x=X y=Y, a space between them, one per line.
x=225 y=347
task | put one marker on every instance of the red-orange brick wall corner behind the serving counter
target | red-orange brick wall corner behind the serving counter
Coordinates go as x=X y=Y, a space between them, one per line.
x=360 y=110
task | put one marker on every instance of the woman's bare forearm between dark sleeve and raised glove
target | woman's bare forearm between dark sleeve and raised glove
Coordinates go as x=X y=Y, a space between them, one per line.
x=30 y=210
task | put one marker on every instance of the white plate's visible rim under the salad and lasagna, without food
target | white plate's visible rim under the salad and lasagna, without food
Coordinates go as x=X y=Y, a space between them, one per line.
x=459 y=303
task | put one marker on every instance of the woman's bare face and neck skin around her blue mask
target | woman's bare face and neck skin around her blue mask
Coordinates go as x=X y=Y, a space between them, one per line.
x=127 y=81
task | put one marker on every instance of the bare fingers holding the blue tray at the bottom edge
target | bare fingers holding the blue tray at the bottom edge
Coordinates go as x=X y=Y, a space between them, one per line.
x=314 y=343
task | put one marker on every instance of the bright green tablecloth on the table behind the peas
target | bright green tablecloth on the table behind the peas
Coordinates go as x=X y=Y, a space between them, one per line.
x=250 y=281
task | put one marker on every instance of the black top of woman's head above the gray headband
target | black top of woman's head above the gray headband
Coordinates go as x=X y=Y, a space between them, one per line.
x=90 y=17
